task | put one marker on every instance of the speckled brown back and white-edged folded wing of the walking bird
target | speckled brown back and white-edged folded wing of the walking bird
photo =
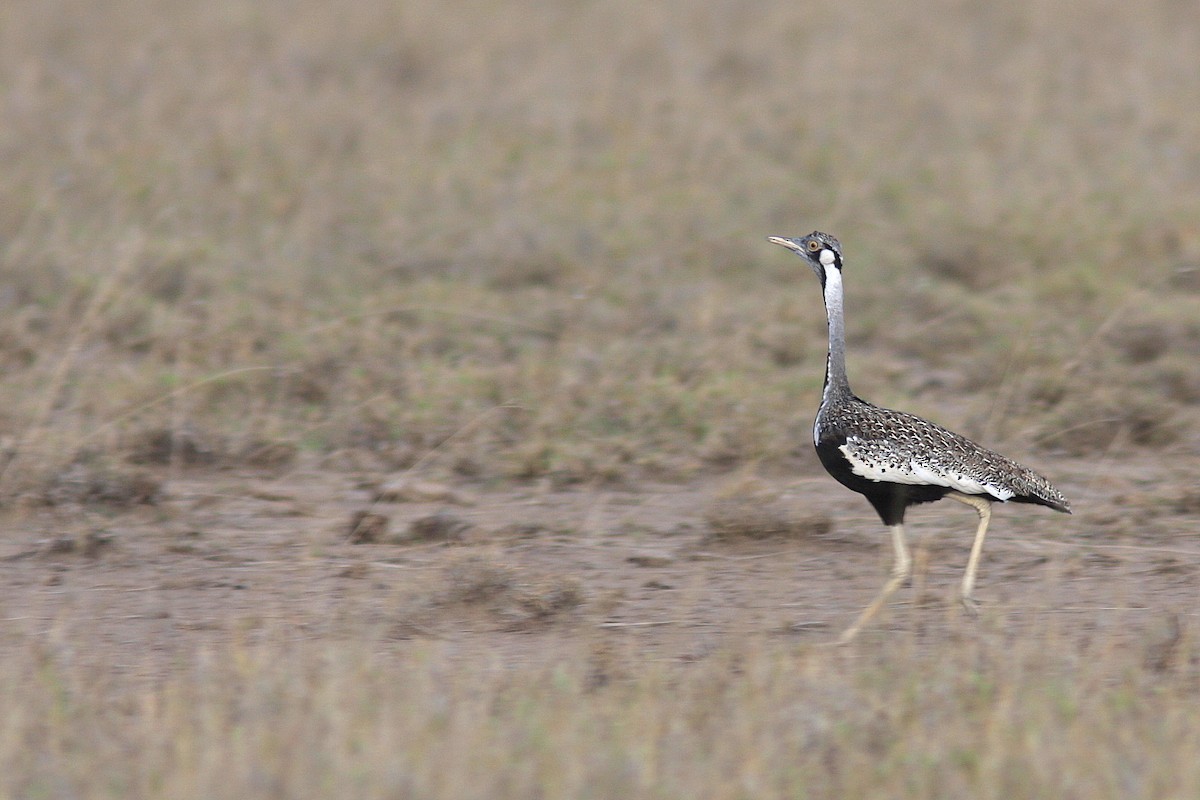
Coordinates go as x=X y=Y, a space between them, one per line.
x=889 y=447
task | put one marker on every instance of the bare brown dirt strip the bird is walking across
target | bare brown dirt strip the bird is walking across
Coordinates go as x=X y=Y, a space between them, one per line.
x=515 y=575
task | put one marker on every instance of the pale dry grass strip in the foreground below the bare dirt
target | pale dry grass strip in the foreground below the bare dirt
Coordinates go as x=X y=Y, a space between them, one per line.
x=980 y=715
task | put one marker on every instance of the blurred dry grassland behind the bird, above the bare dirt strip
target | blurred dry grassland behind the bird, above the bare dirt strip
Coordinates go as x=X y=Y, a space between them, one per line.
x=242 y=232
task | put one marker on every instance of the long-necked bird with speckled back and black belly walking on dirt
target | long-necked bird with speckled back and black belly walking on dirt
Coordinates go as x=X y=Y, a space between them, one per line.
x=898 y=460
